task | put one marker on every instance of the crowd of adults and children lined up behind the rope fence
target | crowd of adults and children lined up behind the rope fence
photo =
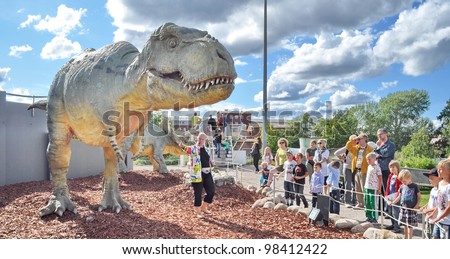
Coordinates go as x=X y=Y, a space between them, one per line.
x=372 y=181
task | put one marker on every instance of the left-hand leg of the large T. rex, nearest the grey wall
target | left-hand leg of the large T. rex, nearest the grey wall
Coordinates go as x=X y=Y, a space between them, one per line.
x=58 y=154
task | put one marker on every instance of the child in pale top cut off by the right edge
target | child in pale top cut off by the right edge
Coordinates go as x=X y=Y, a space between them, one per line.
x=443 y=202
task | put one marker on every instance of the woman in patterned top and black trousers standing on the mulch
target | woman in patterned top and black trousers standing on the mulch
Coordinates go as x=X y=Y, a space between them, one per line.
x=200 y=171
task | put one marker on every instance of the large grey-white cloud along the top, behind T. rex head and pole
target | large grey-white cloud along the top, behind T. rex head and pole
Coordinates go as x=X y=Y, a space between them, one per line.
x=239 y=24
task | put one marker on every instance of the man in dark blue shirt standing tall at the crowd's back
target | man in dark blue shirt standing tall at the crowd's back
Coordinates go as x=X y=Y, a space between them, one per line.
x=385 y=150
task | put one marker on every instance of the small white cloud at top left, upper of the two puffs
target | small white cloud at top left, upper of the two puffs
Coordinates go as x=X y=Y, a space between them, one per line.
x=66 y=20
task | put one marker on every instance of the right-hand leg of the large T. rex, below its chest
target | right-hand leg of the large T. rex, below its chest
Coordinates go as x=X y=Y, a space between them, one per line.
x=111 y=193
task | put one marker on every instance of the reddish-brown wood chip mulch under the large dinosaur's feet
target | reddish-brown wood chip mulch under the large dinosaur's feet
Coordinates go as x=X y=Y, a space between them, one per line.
x=162 y=208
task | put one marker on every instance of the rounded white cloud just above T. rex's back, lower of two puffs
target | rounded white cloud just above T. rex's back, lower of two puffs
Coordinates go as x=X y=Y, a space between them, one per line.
x=60 y=47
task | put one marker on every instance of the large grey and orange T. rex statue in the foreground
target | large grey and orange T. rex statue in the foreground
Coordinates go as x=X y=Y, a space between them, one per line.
x=178 y=66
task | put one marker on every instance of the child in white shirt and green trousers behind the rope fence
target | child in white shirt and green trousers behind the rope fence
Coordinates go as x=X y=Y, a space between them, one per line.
x=372 y=187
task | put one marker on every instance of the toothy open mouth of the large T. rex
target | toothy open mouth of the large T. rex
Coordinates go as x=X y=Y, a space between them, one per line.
x=200 y=85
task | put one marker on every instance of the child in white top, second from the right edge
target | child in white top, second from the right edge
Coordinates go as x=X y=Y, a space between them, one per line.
x=431 y=208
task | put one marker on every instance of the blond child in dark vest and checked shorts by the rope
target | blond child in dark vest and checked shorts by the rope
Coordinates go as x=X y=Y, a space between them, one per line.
x=409 y=197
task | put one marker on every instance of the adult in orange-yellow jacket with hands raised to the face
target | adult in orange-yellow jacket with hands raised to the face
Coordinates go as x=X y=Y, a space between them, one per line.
x=359 y=149
